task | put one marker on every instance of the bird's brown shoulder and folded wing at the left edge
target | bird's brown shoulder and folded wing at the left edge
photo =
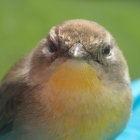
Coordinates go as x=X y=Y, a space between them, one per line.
x=12 y=86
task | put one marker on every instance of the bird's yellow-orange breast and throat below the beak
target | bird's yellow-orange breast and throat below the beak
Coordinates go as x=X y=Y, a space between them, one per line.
x=80 y=106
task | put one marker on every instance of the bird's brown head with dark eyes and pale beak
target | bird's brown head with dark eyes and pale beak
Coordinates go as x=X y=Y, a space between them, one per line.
x=81 y=44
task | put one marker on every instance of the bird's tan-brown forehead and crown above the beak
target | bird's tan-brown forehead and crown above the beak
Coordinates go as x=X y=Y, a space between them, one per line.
x=79 y=31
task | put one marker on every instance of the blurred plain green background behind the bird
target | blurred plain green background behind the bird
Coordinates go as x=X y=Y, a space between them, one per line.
x=24 y=22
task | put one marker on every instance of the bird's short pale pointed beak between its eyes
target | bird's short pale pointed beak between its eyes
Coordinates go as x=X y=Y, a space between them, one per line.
x=77 y=51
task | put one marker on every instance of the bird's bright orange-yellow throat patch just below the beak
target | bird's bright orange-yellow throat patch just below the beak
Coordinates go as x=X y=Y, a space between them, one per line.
x=74 y=76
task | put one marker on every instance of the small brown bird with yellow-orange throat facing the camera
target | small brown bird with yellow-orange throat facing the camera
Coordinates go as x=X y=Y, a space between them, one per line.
x=74 y=85
